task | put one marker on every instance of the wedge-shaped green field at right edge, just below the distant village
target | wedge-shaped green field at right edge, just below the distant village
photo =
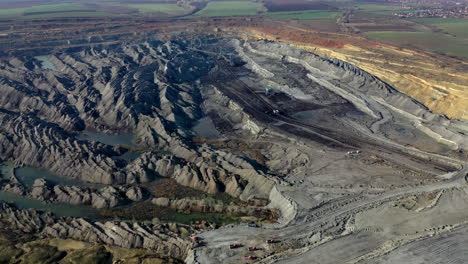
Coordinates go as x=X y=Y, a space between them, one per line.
x=454 y=26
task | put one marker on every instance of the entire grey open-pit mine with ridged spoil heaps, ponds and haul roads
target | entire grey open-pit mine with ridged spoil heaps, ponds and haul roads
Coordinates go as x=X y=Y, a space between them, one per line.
x=218 y=147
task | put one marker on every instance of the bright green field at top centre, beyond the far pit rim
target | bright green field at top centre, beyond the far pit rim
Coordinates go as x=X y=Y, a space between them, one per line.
x=229 y=8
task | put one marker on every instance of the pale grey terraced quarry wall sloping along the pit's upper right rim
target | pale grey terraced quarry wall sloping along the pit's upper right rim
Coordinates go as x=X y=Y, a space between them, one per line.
x=367 y=92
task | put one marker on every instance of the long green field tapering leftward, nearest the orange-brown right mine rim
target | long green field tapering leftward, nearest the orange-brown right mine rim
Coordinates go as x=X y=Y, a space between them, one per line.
x=425 y=40
